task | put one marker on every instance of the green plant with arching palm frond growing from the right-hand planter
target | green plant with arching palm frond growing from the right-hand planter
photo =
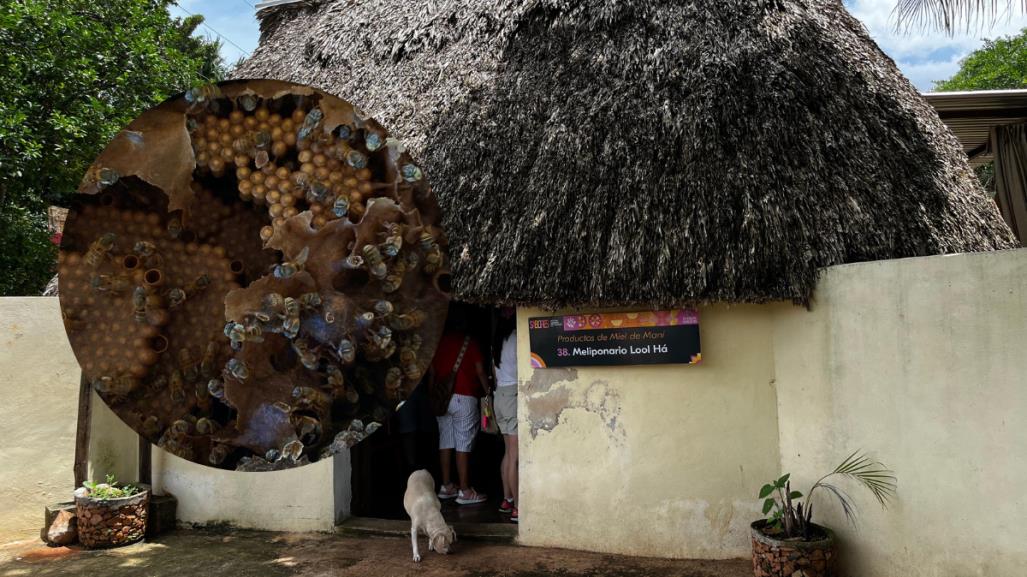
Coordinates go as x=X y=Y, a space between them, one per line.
x=792 y=513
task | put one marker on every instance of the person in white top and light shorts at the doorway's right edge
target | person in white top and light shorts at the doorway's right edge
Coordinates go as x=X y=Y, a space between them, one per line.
x=506 y=406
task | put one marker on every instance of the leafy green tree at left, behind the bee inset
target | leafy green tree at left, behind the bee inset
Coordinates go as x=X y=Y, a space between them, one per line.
x=72 y=74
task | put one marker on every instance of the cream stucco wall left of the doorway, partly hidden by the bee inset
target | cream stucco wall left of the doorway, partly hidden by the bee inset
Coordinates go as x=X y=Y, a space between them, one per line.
x=40 y=381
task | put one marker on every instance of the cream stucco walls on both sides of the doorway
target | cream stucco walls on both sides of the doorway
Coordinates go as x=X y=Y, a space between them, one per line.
x=921 y=362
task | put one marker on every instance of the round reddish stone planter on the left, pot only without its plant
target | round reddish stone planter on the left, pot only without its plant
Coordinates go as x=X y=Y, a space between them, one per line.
x=112 y=523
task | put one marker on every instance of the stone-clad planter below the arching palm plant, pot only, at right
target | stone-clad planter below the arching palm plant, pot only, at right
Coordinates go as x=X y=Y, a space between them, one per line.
x=774 y=558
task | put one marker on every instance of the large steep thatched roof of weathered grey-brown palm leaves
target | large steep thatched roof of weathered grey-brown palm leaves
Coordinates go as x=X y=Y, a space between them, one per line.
x=651 y=152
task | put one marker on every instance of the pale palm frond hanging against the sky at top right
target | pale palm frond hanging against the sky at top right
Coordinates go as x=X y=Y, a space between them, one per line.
x=949 y=15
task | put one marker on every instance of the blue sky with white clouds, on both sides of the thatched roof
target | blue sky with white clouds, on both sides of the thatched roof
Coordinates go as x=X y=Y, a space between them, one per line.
x=923 y=56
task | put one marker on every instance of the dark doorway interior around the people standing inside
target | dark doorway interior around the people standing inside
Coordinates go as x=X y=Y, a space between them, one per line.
x=383 y=463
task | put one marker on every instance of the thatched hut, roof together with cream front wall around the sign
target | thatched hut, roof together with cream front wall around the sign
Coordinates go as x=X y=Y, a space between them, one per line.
x=641 y=156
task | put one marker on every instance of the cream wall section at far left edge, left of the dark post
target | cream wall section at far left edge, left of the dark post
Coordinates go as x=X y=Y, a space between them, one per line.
x=39 y=402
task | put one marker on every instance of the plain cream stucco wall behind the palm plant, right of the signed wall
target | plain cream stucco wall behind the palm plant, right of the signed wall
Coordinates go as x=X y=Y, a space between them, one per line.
x=924 y=364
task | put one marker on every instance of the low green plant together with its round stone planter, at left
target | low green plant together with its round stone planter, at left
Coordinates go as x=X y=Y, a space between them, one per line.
x=110 y=516
